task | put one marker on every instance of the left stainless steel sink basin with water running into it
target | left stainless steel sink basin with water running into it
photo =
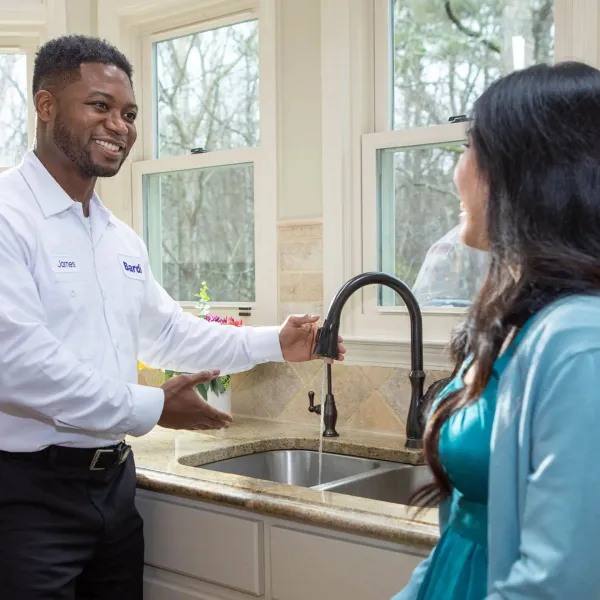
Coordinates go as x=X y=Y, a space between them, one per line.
x=297 y=467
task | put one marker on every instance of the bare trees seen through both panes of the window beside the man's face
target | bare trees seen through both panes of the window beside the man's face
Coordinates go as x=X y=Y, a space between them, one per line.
x=206 y=87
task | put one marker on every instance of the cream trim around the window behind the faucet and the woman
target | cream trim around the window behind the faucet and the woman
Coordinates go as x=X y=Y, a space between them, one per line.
x=356 y=110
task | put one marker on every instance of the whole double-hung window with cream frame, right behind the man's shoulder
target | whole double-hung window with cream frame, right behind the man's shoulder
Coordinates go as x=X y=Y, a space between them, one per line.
x=205 y=192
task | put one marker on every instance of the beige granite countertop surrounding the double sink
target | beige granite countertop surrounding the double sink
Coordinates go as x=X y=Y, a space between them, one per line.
x=166 y=462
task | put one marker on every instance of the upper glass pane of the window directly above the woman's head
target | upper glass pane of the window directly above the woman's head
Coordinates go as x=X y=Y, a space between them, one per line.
x=446 y=52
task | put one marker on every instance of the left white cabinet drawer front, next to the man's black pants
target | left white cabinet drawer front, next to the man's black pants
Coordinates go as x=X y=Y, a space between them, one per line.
x=204 y=544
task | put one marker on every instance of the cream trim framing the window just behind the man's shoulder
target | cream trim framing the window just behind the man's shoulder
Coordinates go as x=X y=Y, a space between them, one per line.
x=155 y=24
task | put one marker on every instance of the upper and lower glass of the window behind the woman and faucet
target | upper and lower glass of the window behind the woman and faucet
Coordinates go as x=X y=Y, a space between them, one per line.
x=444 y=55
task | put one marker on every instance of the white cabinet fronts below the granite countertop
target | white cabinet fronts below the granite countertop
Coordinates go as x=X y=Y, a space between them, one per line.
x=201 y=551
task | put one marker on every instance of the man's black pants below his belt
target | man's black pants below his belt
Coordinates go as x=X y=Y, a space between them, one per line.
x=69 y=533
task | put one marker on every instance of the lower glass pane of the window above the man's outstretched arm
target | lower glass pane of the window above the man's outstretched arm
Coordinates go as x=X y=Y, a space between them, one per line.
x=200 y=227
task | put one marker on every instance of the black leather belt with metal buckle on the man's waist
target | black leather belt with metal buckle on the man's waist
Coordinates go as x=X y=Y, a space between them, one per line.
x=94 y=459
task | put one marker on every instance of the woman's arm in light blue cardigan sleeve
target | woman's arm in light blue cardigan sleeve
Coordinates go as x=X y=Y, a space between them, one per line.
x=560 y=531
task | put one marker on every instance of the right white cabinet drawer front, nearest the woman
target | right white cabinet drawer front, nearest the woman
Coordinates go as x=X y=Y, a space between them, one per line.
x=312 y=566
